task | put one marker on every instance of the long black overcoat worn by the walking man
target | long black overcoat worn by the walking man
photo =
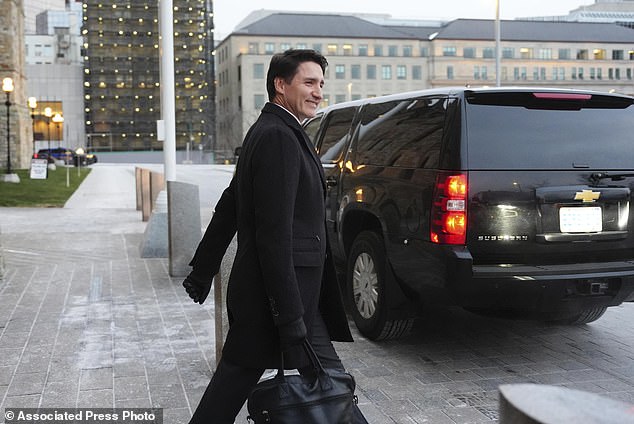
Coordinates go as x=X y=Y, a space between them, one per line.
x=281 y=271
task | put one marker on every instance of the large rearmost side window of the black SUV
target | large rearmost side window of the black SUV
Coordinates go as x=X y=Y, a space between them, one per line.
x=404 y=133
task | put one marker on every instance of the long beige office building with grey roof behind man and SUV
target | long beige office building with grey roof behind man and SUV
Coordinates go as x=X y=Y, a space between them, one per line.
x=375 y=56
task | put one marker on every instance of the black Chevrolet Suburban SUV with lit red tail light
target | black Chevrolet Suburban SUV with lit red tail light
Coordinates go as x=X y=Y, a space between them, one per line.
x=491 y=199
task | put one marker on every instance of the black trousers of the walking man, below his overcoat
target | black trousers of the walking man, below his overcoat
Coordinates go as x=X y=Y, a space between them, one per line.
x=231 y=384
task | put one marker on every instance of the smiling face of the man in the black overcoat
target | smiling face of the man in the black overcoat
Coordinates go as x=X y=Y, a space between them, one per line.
x=302 y=95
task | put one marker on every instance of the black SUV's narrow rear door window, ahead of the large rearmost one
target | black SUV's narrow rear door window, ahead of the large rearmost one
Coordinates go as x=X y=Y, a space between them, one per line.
x=335 y=135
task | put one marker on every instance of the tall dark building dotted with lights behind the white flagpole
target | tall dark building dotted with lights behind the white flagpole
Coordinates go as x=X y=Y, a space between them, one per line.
x=121 y=74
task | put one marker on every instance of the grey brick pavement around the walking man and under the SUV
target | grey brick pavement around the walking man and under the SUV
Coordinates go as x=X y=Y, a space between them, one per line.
x=86 y=322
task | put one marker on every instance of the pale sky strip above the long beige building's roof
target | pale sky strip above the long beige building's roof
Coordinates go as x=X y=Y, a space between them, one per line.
x=228 y=13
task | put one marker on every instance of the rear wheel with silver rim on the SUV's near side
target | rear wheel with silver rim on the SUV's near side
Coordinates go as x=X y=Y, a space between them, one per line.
x=366 y=289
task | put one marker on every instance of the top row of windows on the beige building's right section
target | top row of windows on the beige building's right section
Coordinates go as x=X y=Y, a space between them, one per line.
x=541 y=53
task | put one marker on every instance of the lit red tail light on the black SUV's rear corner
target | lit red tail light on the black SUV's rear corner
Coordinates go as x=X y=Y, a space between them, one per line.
x=449 y=209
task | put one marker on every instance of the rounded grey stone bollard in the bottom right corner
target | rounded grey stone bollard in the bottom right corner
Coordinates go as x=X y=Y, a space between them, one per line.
x=542 y=404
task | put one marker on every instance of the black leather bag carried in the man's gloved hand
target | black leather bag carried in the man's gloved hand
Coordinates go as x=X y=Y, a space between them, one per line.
x=327 y=398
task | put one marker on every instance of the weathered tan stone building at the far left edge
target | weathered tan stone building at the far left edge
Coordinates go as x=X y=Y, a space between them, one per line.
x=12 y=65
